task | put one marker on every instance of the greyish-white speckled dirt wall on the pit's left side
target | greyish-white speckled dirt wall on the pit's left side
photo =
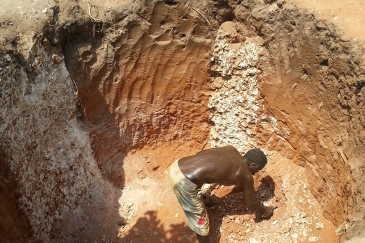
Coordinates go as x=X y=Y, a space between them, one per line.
x=47 y=150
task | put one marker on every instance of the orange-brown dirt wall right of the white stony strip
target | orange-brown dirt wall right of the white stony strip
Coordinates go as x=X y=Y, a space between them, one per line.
x=315 y=92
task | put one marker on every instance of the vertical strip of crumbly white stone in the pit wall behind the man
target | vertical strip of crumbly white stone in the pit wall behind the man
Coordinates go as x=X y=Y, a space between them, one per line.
x=233 y=102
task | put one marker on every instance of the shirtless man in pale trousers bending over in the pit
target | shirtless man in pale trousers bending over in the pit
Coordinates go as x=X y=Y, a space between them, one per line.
x=223 y=165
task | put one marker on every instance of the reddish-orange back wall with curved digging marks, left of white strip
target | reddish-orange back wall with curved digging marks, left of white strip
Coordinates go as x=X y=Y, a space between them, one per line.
x=144 y=82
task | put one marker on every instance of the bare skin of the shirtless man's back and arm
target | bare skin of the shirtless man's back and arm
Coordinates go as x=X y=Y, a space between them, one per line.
x=200 y=171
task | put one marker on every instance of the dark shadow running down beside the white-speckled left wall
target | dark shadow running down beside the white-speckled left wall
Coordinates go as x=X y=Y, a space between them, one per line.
x=95 y=215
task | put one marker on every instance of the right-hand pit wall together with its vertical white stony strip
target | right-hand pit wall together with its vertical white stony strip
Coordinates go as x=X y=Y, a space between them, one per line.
x=304 y=98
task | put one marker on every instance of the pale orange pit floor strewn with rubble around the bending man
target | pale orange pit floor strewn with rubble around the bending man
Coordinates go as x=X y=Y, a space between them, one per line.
x=153 y=213
